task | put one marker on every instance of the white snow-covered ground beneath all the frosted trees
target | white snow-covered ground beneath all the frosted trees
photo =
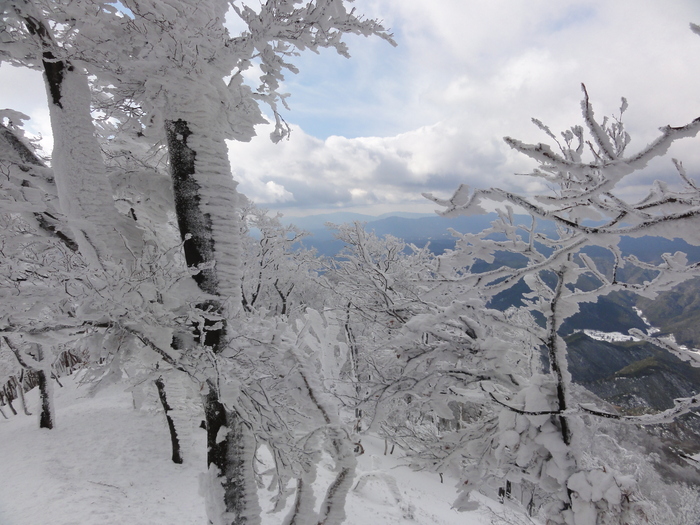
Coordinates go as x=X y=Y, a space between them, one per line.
x=107 y=463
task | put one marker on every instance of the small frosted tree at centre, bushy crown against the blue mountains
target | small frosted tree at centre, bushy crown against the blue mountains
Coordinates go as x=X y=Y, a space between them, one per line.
x=375 y=284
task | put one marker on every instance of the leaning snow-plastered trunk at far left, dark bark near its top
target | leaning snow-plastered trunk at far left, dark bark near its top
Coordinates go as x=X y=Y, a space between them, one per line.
x=34 y=37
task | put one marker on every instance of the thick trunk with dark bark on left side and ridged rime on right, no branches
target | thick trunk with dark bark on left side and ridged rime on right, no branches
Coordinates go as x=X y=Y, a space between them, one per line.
x=205 y=200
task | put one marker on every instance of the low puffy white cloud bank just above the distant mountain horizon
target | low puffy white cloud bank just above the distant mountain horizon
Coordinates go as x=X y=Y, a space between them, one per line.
x=368 y=171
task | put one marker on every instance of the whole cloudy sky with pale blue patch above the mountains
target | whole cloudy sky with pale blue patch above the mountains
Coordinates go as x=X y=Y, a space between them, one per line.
x=373 y=132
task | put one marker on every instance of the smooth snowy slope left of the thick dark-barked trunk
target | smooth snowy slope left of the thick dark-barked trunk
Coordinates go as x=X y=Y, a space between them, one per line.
x=105 y=463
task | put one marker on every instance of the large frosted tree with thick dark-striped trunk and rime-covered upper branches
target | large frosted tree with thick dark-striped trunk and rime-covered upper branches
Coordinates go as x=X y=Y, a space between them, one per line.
x=199 y=110
